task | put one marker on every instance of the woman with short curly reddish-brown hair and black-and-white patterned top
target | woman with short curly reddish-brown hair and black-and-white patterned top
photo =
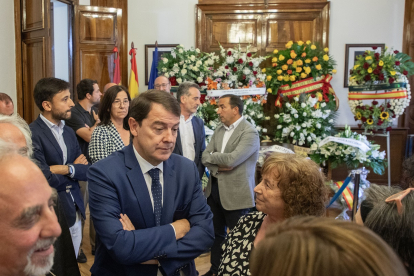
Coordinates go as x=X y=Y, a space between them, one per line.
x=291 y=185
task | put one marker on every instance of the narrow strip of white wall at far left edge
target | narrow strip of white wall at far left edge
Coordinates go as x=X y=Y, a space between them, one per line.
x=7 y=51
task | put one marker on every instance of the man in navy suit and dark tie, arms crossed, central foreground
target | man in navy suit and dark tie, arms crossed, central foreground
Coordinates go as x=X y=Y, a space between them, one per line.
x=156 y=192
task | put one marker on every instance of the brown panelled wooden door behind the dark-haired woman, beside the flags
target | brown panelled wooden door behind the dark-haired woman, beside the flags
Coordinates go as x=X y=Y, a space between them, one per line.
x=97 y=30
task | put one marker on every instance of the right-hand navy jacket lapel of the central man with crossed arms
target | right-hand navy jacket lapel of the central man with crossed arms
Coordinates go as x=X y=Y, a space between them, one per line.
x=170 y=187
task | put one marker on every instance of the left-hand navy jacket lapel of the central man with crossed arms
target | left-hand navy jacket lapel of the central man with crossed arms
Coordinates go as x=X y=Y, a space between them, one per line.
x=137 y=181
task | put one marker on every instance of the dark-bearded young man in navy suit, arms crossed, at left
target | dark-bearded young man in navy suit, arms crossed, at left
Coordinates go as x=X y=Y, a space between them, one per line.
x=57 y=151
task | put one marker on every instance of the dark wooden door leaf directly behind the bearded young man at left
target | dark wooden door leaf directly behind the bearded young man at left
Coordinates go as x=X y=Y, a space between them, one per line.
x=36 y=57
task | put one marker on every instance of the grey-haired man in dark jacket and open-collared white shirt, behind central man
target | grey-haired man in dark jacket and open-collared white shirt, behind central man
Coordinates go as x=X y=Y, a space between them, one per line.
x=191 y=136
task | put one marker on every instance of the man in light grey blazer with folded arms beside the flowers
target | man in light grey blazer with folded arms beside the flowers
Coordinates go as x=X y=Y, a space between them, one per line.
x=231 y=158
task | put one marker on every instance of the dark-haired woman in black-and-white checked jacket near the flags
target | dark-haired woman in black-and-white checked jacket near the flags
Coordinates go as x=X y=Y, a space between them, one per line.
x=112 y=133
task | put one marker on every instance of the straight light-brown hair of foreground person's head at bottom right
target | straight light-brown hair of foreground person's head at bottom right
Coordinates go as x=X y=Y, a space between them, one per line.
x=309 y=246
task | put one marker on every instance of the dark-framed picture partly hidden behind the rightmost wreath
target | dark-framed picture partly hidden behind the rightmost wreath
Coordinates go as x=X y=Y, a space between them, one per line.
x=354 y=50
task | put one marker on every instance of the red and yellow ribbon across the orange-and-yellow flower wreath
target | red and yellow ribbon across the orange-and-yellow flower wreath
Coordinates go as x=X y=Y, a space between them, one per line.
x=305 y=86
